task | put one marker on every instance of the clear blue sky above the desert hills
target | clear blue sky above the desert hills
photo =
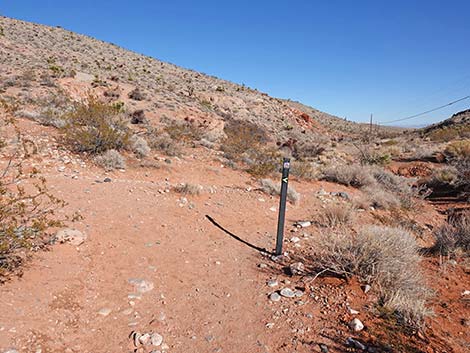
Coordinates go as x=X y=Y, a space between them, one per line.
x=346 y=57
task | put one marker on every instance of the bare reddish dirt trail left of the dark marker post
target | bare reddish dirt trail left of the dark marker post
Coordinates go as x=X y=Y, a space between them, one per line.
x=207 y=286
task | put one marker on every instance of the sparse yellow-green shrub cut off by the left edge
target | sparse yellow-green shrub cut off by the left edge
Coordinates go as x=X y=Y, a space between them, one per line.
x=28 y=213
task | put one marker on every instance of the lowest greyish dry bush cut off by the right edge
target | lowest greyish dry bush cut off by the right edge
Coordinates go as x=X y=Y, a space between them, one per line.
x=453 y=237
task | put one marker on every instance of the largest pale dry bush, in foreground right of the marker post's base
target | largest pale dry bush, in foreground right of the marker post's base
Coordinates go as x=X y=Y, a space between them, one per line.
x=386 y=258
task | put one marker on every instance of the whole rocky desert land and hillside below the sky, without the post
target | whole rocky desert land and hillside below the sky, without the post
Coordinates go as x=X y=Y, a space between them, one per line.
x=139 y=203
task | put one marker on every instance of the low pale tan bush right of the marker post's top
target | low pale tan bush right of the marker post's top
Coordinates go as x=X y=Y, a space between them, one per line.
x=350 y=175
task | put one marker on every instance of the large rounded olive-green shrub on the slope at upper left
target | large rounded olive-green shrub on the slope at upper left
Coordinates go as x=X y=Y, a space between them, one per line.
x=95 y=127
